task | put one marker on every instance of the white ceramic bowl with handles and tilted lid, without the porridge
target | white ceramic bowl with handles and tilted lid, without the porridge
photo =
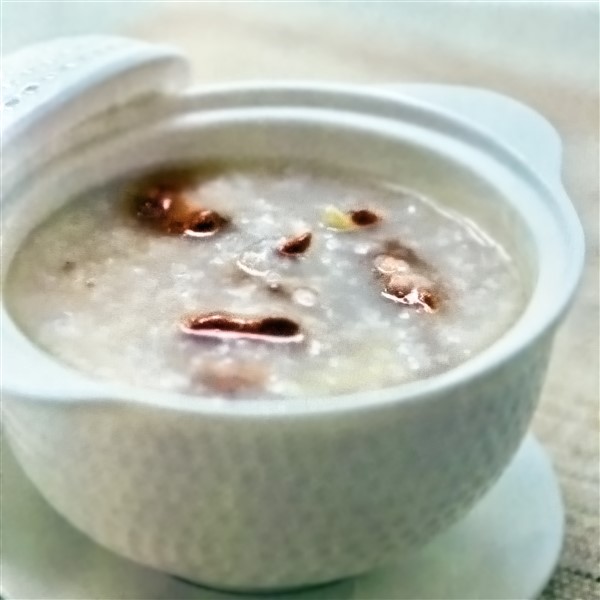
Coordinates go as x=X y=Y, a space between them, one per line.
x=276 y=494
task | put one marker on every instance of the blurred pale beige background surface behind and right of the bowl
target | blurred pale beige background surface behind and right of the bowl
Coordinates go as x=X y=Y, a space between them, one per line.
x=543 y=53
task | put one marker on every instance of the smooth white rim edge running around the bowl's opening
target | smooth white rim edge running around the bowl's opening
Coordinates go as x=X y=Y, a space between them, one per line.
x=491 y=358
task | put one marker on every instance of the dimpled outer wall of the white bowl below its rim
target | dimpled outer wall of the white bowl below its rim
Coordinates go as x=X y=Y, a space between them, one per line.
x=275 y=503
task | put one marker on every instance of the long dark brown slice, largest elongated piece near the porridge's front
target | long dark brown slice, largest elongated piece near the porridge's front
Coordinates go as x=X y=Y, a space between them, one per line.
x=277 y=330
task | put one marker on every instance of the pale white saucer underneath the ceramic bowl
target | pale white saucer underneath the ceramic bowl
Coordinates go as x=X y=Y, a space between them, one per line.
x=506 y=548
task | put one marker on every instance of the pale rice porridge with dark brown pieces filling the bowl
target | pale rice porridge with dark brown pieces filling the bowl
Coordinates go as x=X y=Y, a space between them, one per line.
x=271 y=281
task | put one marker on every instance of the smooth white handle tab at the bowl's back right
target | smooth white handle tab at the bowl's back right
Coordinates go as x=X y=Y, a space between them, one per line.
x=523 y=129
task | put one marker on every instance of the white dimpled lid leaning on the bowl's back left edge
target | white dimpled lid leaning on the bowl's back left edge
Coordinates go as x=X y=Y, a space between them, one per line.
x=51 y=87
